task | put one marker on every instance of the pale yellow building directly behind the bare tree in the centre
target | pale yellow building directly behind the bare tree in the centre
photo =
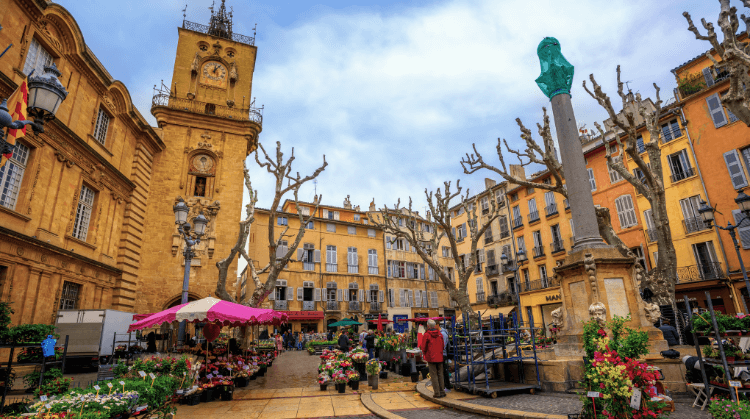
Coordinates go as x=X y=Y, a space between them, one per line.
x=414 y=290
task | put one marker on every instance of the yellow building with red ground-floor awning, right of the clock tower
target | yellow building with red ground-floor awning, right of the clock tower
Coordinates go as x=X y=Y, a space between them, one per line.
x=338 y=271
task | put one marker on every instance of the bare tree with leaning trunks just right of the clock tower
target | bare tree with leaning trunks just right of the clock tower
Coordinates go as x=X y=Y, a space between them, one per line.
x=278 y=260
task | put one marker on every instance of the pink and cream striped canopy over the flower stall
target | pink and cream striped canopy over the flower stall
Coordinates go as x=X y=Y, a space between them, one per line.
x=212 y=310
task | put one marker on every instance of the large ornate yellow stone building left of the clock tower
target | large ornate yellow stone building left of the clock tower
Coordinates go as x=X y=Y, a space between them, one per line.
x=74 y=197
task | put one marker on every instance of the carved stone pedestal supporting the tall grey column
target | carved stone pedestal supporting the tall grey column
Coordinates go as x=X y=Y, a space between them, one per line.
x=600 y=275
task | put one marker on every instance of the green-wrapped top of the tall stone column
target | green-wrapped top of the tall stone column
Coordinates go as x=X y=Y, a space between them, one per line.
x=557 y=72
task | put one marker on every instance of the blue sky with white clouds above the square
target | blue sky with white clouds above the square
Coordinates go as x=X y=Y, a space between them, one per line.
x=394 y=93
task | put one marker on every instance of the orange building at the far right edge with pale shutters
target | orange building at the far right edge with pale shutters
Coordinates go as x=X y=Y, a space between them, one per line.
x=722 y=150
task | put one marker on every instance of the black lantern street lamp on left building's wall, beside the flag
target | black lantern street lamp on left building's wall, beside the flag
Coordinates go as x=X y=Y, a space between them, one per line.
x=45 y=94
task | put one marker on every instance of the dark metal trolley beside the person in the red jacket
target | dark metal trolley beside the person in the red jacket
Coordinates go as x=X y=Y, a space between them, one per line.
x=491 y=344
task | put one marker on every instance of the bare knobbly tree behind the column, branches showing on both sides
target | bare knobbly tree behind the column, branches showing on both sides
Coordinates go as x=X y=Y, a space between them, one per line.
x=661 y=280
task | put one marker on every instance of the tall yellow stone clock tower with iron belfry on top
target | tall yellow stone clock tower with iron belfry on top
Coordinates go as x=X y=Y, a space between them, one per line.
x=209 y=126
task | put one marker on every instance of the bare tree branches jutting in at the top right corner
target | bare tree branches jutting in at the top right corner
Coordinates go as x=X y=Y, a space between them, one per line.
x=734 y=55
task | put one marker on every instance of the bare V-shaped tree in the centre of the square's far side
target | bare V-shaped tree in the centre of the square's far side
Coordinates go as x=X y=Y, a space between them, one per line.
x=439 y=219
